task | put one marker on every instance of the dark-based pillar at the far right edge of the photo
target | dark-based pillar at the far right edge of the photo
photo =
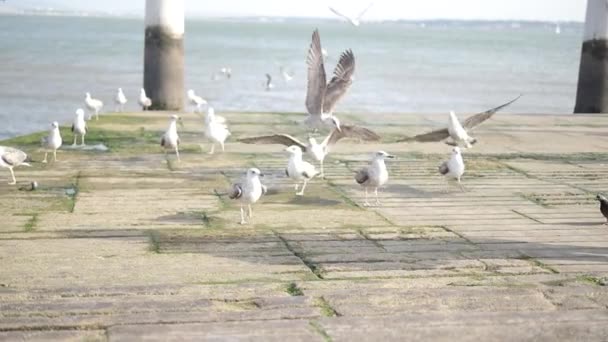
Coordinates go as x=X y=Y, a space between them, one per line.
x=592 y=93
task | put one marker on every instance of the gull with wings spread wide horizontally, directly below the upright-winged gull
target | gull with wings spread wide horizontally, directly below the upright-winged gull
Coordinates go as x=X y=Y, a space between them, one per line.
x=316 y=150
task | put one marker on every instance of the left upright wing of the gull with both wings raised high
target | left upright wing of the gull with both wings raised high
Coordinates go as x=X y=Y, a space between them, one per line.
x=315 y=91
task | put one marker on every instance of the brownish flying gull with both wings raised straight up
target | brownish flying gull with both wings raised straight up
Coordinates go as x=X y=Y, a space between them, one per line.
x=322 y=97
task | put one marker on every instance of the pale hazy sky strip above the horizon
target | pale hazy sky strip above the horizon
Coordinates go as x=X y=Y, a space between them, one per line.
x=549 y=10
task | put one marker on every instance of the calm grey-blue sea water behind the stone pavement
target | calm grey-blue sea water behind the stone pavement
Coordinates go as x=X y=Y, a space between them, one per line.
x=48 y=63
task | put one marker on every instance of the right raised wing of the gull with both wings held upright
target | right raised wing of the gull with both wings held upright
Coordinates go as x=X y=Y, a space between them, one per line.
x=341 y=81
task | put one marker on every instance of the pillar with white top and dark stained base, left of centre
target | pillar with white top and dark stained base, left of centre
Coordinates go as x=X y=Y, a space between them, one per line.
x=164 y=54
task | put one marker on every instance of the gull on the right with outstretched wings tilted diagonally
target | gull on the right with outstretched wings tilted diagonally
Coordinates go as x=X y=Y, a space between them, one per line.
x=458 y=133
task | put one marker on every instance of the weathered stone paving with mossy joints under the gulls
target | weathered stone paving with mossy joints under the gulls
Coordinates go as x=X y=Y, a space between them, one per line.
x=127 y=245
